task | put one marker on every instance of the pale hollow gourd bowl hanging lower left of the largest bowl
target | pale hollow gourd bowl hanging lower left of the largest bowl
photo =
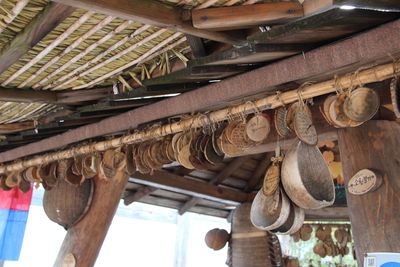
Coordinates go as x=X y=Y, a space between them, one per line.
x=262 y=217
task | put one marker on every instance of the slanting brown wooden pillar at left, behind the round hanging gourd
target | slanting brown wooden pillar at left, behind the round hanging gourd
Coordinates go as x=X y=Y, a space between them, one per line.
x=84 y=239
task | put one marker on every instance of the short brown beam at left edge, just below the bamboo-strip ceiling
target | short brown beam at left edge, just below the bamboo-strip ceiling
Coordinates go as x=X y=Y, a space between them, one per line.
x=29 y=96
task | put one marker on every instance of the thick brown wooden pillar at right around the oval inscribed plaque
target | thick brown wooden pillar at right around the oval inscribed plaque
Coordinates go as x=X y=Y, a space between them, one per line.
x=375 y=216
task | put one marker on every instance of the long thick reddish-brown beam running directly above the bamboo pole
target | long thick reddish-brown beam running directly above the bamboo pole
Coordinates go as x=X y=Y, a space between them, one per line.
x=317 y=64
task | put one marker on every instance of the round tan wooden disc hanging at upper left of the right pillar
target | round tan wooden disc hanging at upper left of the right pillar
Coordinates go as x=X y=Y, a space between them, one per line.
x=362 y=104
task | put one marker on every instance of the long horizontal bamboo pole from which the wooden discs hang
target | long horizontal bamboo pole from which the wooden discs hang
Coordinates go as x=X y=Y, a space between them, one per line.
x=374 y=74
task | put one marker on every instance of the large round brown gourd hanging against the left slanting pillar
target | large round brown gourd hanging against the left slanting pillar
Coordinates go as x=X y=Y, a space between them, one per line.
x=66 y=204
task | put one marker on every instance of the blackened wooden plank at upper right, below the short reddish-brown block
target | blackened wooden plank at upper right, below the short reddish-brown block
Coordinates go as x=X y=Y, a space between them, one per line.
x=324 y=26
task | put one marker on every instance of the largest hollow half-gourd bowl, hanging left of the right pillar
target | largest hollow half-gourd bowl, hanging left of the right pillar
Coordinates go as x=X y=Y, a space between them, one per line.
x=306 y=177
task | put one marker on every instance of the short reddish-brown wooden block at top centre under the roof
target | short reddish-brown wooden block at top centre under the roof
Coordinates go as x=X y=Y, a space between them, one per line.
x=246 y=16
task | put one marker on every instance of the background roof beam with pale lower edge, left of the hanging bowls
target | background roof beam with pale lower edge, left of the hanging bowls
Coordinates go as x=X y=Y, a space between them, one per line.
x=171 y=182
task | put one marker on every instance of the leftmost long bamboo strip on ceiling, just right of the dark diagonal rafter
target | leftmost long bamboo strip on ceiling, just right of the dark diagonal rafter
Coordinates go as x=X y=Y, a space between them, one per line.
x=50 y=47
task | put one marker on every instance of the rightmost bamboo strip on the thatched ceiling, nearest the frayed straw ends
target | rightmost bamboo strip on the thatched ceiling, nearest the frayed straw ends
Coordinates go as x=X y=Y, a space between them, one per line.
x=130 y=64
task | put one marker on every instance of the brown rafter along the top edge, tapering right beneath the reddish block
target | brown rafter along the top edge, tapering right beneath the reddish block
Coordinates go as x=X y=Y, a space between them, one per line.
x=150 y=12
